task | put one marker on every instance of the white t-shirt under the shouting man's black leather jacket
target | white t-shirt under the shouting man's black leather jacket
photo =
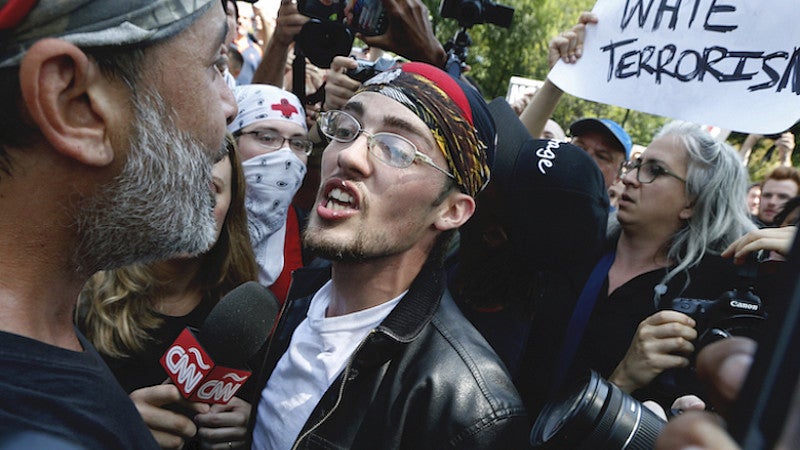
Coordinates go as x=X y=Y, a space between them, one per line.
x=320 y=348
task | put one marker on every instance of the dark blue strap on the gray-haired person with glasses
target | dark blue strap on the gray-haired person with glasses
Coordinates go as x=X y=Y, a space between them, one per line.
x=580 y=317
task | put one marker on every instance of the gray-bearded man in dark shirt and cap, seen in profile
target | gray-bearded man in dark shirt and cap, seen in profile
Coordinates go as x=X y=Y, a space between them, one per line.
x=105 y=160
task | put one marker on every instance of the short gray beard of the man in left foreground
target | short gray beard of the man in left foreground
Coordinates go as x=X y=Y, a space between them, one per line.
x=161 y=205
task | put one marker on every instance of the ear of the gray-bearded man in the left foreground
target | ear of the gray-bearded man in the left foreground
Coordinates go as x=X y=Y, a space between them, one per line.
x=69 y=100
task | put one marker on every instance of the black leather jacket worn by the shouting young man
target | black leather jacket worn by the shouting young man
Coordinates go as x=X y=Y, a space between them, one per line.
x=424 y=378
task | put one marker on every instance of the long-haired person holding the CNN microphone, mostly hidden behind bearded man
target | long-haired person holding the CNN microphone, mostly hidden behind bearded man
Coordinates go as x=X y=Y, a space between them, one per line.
x=133 y=314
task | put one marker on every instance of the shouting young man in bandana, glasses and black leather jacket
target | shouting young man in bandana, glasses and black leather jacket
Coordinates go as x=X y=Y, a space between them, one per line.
x=379 y=356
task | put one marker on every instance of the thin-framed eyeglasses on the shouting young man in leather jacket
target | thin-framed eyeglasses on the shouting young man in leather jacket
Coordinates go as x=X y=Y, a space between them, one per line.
x=392 y=149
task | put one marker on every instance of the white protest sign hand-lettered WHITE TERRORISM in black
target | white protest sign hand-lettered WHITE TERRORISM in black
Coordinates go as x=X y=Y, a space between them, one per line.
x=734 y=64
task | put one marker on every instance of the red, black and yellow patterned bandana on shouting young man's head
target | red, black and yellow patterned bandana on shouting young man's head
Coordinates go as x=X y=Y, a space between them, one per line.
x=437 y=99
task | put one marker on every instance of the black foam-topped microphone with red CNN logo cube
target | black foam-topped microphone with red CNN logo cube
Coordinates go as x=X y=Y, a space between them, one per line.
x=210 y=367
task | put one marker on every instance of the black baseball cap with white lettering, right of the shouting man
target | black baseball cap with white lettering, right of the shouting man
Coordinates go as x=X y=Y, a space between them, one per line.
x=554 y=199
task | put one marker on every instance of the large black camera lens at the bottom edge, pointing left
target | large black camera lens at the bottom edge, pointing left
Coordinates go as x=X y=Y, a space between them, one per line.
x=595 y=414
